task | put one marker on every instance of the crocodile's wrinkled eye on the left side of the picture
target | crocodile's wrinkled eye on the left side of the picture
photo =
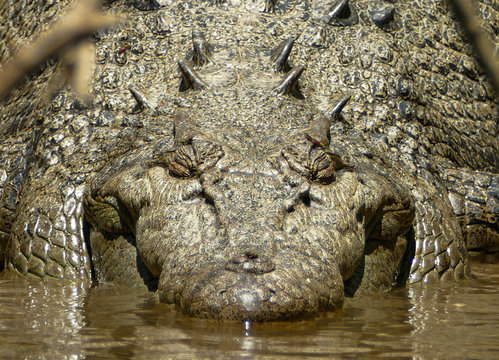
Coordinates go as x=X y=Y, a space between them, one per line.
x=191 y=157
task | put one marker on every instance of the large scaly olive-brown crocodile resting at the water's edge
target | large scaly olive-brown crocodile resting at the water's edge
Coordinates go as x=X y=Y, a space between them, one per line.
x=254 y=160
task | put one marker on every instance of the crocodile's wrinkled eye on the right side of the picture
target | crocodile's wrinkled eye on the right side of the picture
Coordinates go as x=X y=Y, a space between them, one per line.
x=312 y=159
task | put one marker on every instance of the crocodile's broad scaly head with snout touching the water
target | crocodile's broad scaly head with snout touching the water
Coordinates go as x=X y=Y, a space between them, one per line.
x=254 y=212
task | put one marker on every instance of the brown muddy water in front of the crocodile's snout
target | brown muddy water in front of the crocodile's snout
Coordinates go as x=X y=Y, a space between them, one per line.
x=56 y=321
